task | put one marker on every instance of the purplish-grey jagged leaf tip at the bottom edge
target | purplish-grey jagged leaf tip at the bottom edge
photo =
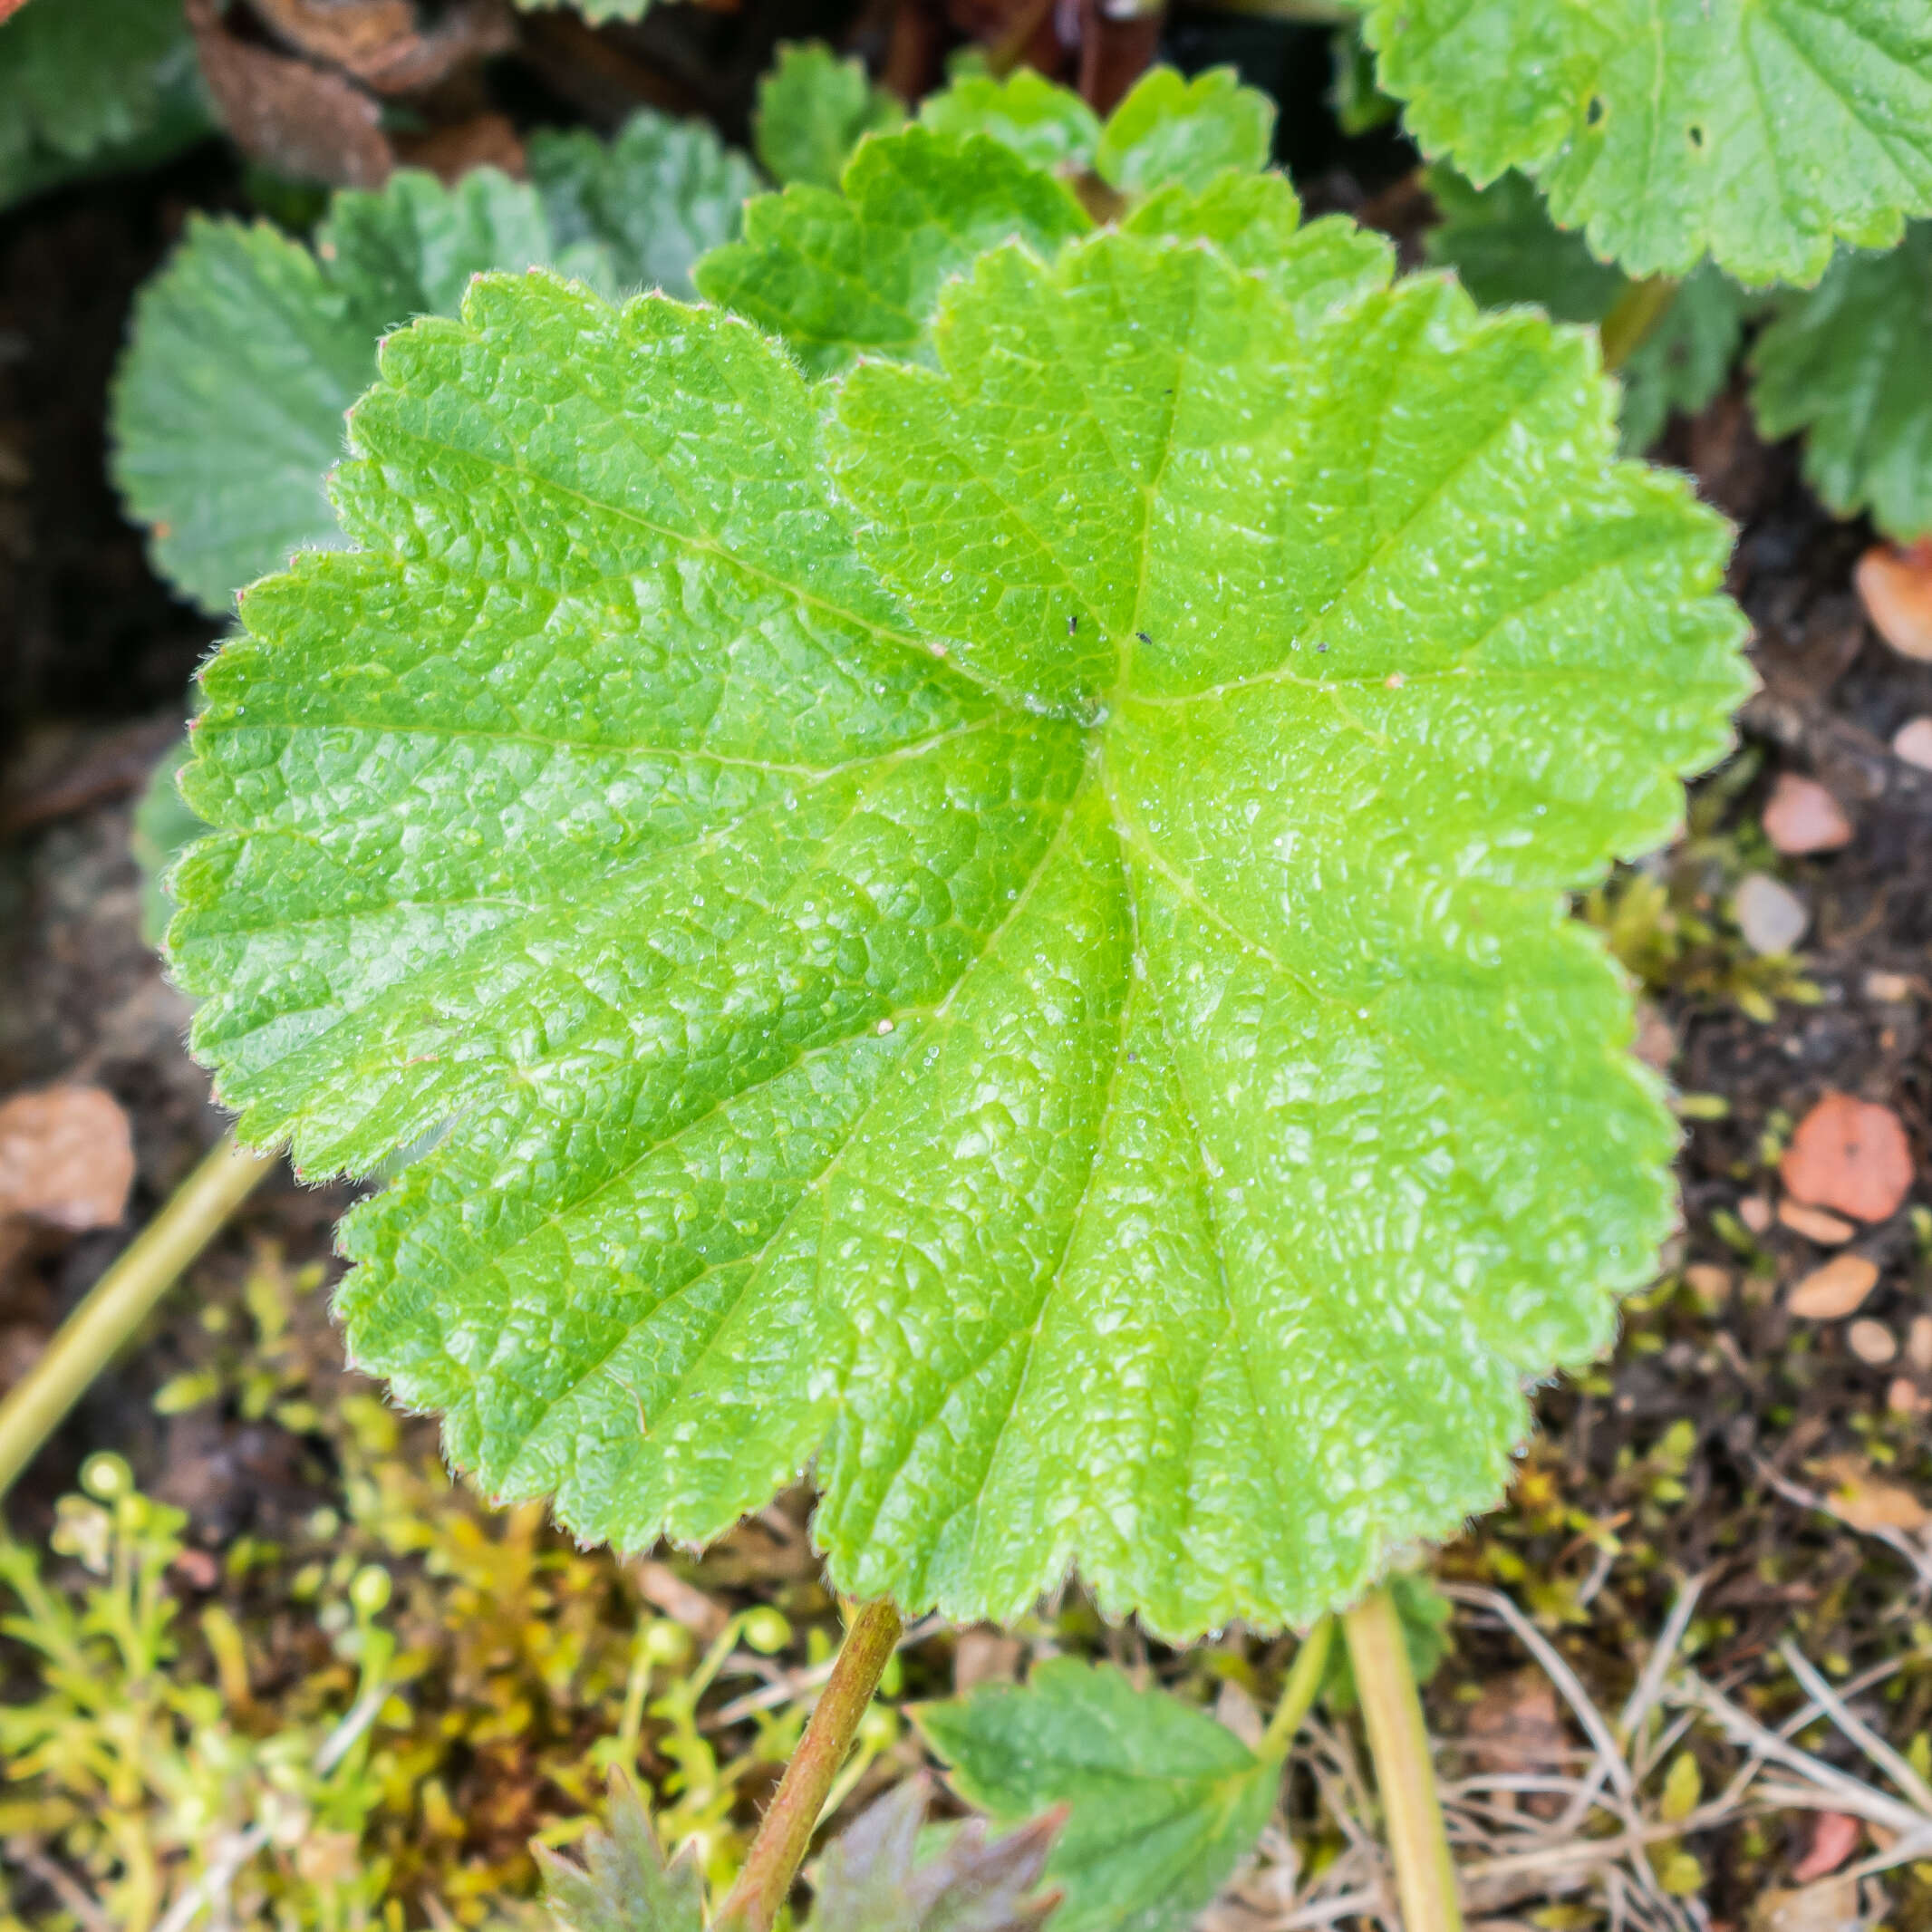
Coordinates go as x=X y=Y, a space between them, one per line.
x=874 y=1881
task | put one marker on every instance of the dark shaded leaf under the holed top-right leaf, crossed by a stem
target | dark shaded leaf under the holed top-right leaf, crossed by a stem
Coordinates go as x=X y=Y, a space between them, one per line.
x=1504 y=246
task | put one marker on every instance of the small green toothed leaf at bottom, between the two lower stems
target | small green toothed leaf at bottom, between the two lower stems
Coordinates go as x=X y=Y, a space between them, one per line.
x=1162 y=1800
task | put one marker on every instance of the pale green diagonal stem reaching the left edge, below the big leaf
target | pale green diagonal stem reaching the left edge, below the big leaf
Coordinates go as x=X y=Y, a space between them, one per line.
x=123 y=1297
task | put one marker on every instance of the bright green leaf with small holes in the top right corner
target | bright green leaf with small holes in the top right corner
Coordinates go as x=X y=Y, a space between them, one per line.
x=1749 y=130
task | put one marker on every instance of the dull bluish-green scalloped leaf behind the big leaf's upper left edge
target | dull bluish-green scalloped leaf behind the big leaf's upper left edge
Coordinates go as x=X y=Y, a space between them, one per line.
x=248 y=349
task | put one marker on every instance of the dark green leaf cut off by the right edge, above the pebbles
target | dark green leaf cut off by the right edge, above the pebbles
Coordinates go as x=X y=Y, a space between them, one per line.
x=1848 y=366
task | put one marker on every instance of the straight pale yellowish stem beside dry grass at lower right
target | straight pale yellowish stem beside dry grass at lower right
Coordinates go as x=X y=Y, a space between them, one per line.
x=1400 y=1744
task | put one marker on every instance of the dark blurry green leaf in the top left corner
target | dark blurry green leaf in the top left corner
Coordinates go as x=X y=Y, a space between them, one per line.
x=88 y=84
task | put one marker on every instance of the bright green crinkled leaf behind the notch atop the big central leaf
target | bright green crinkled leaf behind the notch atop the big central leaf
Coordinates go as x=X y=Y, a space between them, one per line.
x=838 y=275
